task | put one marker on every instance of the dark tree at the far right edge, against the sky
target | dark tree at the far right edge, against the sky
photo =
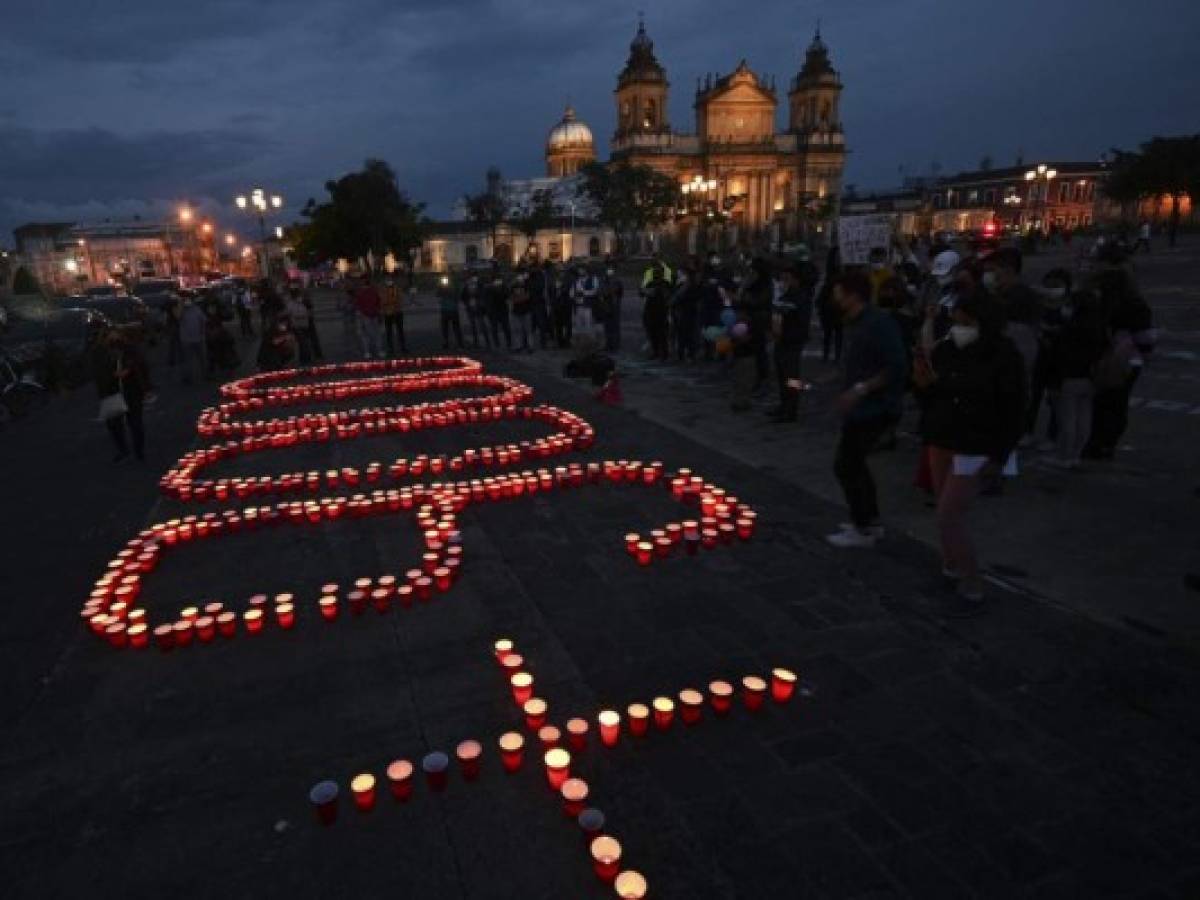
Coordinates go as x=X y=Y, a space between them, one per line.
x=1163 y=167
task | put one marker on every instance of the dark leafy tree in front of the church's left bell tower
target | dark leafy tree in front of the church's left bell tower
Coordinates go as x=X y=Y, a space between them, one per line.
x=629 y=199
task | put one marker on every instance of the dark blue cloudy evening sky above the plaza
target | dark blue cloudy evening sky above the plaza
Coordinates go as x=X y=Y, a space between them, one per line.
x=111 y=110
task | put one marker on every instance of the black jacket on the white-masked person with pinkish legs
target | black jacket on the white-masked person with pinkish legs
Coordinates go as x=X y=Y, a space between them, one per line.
x=977 y=404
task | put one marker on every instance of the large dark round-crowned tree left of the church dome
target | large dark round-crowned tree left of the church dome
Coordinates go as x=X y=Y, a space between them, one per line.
x=367 y=212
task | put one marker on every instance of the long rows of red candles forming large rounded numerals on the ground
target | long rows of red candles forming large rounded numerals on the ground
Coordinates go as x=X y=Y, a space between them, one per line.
x=118 y=608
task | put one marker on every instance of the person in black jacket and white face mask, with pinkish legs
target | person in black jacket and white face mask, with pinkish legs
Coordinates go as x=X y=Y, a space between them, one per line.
x=974 y=391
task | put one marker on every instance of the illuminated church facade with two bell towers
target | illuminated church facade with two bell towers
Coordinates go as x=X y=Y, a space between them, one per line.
x=741 y=176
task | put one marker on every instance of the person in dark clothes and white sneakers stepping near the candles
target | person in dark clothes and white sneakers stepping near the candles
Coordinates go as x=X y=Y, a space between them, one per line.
x=869 y=404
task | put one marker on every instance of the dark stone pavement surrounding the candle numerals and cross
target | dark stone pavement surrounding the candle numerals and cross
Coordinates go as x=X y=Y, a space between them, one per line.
x=1030 y=753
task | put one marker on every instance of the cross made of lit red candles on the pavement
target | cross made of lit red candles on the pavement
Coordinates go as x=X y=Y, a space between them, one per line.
x=571 y=790
